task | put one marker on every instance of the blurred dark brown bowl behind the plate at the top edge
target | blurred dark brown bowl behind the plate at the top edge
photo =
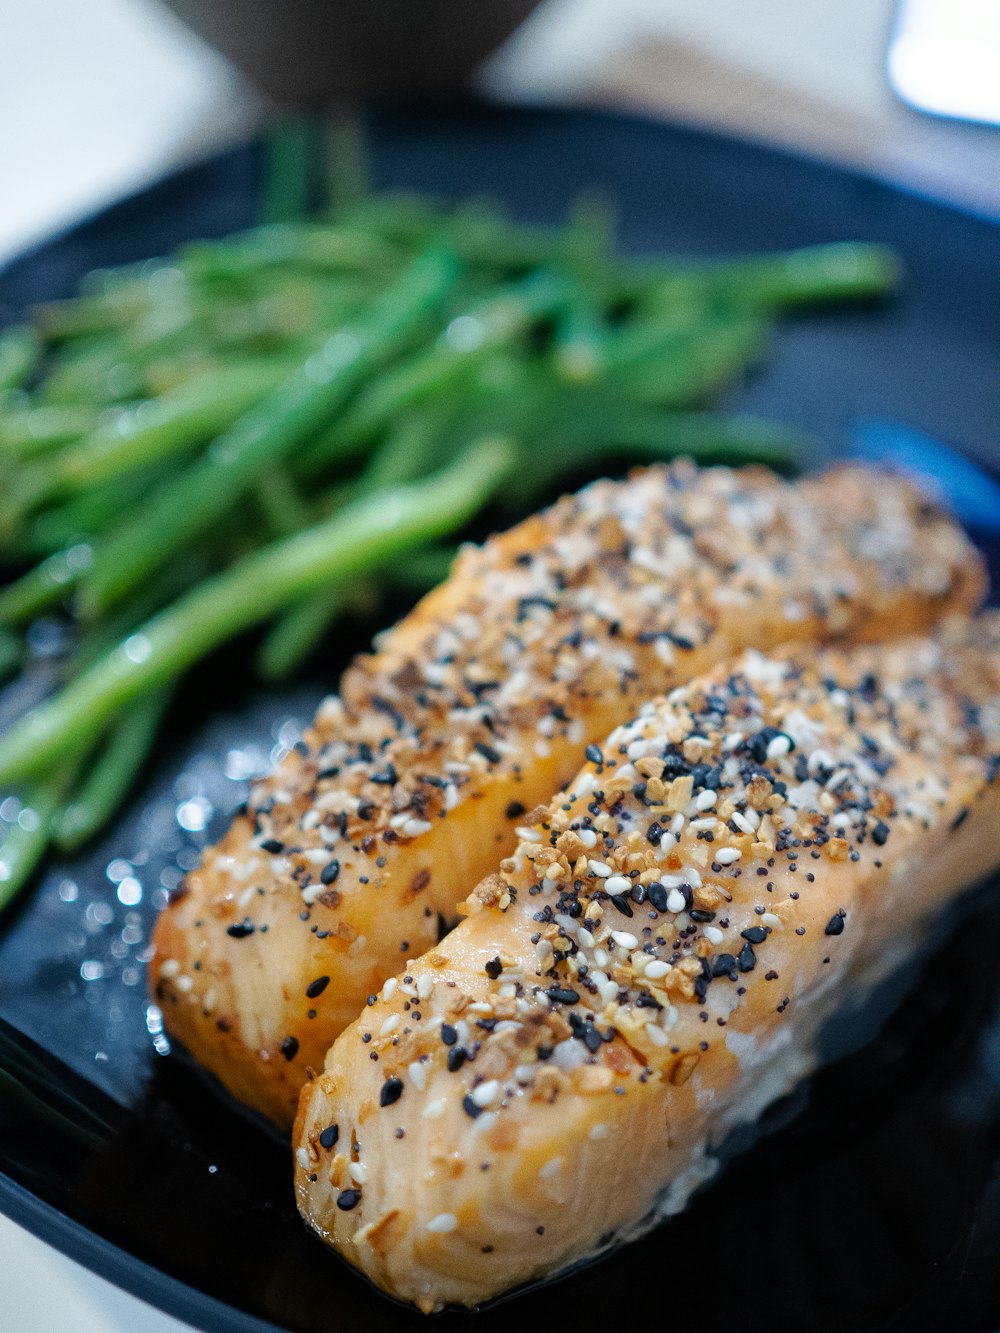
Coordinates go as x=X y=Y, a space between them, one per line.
x=317 y=51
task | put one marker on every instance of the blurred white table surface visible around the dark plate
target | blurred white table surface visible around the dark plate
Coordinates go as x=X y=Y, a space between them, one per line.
x=99 y=98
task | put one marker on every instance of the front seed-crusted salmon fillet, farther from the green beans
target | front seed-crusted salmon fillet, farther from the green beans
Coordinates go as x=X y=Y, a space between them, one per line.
x=650 y=968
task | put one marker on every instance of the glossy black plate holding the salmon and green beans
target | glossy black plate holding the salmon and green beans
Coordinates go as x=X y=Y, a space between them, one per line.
x=879 y=1206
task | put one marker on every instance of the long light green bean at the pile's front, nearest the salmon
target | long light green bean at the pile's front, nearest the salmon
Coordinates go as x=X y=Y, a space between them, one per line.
x=366 y=537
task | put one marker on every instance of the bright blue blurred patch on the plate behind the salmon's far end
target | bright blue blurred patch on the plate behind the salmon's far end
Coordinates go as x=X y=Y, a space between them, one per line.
x=967 y=490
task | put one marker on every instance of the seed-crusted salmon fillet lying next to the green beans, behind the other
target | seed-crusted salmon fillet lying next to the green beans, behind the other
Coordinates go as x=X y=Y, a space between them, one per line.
x=475 y=708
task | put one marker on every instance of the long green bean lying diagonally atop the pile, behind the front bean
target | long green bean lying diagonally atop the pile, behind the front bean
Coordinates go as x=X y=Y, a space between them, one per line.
x=202 y=494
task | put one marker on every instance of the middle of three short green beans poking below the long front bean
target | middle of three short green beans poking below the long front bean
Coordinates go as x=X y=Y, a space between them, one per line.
x=111 y=776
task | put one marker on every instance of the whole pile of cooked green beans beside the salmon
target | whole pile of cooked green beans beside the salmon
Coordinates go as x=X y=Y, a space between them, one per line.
x=262 y=430
